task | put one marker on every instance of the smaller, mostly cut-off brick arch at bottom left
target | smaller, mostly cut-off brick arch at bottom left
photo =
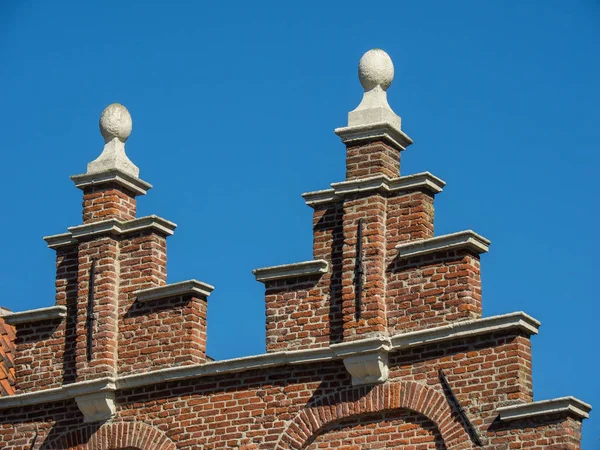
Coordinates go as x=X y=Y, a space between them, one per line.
x=114 y=436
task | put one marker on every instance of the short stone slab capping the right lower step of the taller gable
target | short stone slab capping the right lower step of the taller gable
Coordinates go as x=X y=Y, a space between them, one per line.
x=467 y=239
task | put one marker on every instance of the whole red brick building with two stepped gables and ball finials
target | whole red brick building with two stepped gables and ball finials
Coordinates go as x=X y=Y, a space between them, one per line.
x=378 y=342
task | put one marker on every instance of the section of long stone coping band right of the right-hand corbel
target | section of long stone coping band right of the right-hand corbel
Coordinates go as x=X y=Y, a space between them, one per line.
x=468 y=328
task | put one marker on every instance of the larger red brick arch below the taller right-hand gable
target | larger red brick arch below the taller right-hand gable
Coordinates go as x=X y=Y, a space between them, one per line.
x=417 y=397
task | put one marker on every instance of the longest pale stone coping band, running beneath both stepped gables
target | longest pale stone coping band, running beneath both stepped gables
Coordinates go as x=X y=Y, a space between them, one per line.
x=477 y=327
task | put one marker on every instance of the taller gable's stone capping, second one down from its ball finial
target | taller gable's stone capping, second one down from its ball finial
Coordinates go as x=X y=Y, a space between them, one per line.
x=423 y=180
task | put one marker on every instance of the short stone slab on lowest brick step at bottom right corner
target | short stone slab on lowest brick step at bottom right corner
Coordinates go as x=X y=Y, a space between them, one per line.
x=562 y=405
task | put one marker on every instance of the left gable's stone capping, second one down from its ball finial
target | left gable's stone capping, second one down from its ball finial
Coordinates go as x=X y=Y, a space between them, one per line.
x=110 y=226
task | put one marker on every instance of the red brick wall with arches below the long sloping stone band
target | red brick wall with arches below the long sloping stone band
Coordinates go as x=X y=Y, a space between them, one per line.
x=310 y=405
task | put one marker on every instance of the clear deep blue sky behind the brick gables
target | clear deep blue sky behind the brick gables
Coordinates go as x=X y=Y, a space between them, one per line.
x=234 y=106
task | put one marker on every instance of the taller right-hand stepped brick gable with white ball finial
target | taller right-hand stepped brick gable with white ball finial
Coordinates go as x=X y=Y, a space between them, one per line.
x=377 y=267
